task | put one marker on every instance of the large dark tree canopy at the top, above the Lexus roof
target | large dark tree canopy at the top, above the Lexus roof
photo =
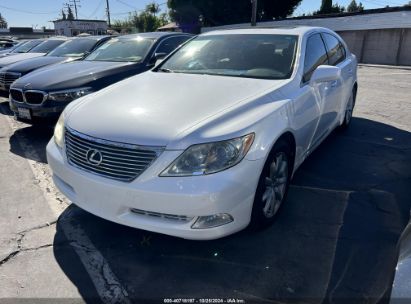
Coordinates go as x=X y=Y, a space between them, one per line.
x=221 y=12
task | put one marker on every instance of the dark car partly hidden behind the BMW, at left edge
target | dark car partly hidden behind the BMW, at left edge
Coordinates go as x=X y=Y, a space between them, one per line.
x=73 y=49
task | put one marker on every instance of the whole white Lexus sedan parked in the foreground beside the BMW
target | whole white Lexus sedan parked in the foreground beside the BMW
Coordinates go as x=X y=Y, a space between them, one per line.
x=206 y=143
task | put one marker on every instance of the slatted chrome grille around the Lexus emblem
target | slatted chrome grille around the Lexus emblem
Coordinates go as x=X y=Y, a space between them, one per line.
x=119 y=161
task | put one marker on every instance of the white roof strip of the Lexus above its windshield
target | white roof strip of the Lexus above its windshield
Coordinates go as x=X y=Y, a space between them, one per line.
x=281 y=30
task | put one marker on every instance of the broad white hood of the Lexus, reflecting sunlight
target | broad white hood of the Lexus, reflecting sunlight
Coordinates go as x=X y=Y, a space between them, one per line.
x=159 y=109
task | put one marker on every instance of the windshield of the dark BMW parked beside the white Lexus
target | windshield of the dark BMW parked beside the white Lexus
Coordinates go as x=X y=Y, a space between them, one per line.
x=122 y=50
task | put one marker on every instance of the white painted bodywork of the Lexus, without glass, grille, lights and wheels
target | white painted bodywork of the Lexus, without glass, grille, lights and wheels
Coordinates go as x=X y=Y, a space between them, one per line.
x=176 y=111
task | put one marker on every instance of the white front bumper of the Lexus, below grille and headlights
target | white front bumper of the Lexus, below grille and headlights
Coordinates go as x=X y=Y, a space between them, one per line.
x=230 y=191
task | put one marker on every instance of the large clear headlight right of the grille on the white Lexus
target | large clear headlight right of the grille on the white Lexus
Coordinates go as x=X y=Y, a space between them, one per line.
x=210 y=158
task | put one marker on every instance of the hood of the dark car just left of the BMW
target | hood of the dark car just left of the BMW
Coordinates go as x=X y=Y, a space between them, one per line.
x=28 y=65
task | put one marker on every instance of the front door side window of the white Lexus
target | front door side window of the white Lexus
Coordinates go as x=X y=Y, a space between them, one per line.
x=315 y=55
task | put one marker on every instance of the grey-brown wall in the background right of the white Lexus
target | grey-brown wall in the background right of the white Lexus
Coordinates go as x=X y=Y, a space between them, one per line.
x=382 y=46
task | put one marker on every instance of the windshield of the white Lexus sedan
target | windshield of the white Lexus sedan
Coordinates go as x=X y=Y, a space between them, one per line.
x=253 y=56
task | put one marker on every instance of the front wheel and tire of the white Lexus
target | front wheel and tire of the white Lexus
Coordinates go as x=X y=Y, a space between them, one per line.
x=266 y=204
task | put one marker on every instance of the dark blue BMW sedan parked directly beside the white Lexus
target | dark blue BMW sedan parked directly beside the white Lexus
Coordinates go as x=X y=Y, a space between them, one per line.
x=45 y=93
